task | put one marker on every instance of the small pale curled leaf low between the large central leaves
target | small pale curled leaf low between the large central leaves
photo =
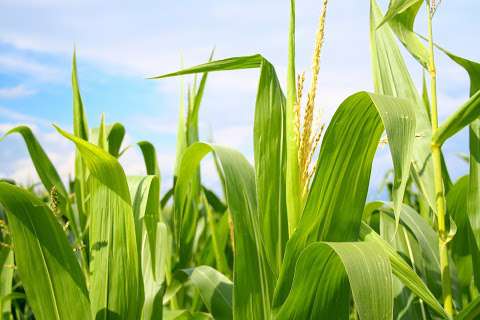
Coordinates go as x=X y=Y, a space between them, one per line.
x=215 y=289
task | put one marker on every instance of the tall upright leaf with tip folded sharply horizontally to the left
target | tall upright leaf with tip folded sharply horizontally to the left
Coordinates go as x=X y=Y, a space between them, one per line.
x=269 y=152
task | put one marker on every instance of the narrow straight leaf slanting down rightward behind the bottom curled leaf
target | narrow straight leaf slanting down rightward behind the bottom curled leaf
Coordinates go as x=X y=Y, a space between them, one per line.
x=402 y=270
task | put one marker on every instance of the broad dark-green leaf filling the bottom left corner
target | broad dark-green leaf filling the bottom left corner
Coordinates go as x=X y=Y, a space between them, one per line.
x=50 y=273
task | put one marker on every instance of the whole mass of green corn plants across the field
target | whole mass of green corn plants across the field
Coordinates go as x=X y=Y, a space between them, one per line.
x=290 y=236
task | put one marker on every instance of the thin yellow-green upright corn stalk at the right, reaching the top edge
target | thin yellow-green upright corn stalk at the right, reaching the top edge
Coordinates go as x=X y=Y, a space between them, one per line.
x=438 y=179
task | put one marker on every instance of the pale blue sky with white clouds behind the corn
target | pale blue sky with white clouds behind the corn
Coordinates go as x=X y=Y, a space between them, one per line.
x=119 y=44
